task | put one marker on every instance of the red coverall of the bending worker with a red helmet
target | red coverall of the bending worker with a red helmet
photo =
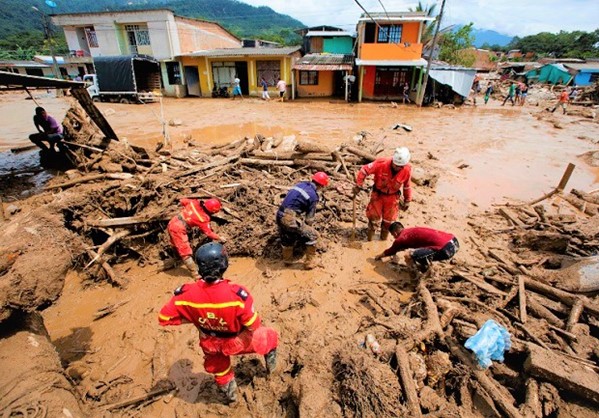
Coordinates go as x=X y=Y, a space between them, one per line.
x=191 y=215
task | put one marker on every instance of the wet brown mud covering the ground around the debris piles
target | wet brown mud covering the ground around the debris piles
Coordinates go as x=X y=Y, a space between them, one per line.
x=485 y=155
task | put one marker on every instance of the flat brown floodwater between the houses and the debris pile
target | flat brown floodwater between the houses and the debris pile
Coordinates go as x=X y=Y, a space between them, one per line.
x=505 y=153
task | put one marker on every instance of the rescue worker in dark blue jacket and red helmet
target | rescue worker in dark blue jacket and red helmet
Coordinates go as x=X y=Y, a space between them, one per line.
x=295 y=216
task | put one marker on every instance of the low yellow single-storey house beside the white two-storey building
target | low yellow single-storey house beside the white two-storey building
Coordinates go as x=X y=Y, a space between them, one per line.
x=217 y=68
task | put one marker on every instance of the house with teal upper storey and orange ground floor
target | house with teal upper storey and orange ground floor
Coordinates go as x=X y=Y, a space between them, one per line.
x=326 y=68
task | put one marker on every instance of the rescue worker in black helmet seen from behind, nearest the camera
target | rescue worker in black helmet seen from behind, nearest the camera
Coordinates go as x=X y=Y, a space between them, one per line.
x=224 y=314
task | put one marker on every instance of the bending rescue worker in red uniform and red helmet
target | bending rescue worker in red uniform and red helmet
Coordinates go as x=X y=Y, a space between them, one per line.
x=195 y=213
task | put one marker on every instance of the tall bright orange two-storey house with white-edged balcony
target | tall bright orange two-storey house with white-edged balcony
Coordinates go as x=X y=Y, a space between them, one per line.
x=389 y=53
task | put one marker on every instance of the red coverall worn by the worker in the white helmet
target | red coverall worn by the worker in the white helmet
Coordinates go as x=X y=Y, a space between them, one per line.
x=384 y=199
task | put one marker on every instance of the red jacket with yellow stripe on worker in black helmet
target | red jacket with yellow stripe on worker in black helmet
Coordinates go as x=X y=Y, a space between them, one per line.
x=220 y=309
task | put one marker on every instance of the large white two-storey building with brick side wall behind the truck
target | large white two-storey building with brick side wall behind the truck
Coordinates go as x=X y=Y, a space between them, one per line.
x=155 y=32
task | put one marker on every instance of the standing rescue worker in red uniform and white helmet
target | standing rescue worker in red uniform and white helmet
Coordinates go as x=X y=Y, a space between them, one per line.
x=391 y=177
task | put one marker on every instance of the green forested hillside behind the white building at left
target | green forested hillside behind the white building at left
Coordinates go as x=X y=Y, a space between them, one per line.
x=244 y=20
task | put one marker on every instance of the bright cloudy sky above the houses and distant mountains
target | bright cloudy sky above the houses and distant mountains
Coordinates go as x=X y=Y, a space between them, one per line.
x=509 y=17
